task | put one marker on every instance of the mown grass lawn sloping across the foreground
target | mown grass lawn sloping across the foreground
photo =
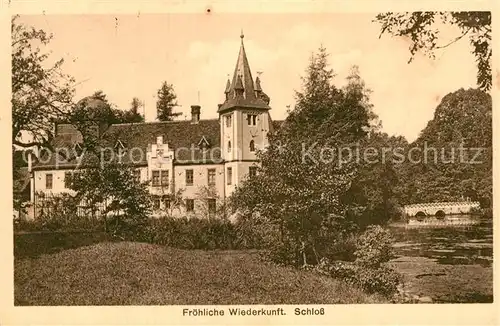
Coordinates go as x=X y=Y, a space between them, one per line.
x=127 y=273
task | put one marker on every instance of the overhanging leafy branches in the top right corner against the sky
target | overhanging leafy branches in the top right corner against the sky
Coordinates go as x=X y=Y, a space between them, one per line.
x=421 y=29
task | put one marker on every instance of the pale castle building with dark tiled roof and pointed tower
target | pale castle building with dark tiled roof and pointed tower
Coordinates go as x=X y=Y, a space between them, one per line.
x=188 y=155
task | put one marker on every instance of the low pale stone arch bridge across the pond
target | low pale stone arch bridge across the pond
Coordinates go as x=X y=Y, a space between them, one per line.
x=440 y=209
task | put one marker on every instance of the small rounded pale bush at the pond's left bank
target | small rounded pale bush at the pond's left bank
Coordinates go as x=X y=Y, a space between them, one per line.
x=373 y=247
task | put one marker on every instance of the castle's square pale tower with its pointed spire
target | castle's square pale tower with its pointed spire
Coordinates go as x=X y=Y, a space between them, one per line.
x=244 y=119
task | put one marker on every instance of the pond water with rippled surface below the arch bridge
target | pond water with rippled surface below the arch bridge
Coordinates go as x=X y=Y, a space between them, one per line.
x=449 y=263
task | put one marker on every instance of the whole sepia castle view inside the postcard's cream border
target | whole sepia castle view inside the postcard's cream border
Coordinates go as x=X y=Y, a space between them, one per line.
x=214 y=160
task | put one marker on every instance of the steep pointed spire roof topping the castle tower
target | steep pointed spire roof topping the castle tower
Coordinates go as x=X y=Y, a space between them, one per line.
x=242 y=80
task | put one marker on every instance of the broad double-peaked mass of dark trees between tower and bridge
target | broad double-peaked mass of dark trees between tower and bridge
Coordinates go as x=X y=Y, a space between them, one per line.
x=311 y=200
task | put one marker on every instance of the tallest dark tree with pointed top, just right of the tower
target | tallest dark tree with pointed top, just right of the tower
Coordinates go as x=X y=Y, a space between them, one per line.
x=297 y=195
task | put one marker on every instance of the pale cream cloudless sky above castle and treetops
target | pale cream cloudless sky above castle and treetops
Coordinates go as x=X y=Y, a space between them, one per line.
x=129 y=56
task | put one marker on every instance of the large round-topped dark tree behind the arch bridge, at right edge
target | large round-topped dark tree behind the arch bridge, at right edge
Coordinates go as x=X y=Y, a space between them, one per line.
x=462 y=123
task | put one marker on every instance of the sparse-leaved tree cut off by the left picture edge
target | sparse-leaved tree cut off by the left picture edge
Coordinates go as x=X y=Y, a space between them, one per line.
x=41 y=92
